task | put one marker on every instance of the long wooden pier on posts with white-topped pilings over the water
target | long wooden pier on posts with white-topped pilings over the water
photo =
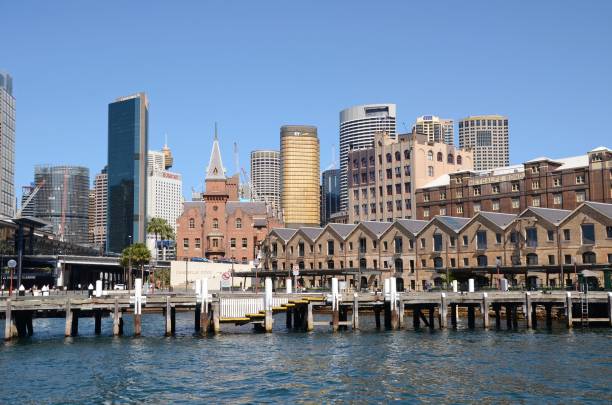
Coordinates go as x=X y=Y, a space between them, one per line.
x=432 y=310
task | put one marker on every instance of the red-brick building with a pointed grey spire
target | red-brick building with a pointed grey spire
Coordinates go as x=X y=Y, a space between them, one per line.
x=219 y=225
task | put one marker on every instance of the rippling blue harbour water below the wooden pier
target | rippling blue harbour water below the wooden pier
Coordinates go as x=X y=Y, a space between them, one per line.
x=367 y=366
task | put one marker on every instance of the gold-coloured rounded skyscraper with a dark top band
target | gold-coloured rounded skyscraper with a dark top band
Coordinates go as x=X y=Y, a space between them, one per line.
x=299 y=160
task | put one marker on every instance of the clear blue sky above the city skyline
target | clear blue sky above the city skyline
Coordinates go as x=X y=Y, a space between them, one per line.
x=253 y=66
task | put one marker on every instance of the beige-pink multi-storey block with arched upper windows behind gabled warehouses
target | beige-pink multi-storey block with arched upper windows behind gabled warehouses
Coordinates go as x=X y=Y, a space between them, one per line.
x=383 y=179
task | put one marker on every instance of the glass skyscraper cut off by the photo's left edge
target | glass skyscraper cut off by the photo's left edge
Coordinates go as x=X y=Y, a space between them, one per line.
x=7 y=146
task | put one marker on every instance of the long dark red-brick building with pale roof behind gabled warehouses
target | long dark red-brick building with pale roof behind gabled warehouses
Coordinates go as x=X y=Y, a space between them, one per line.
x=541 y=182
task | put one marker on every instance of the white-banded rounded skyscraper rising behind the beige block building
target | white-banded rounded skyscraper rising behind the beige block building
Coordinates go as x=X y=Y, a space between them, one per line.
x=358 y=125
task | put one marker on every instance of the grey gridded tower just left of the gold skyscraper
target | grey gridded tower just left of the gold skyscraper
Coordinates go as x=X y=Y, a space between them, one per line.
x=265 y=177
